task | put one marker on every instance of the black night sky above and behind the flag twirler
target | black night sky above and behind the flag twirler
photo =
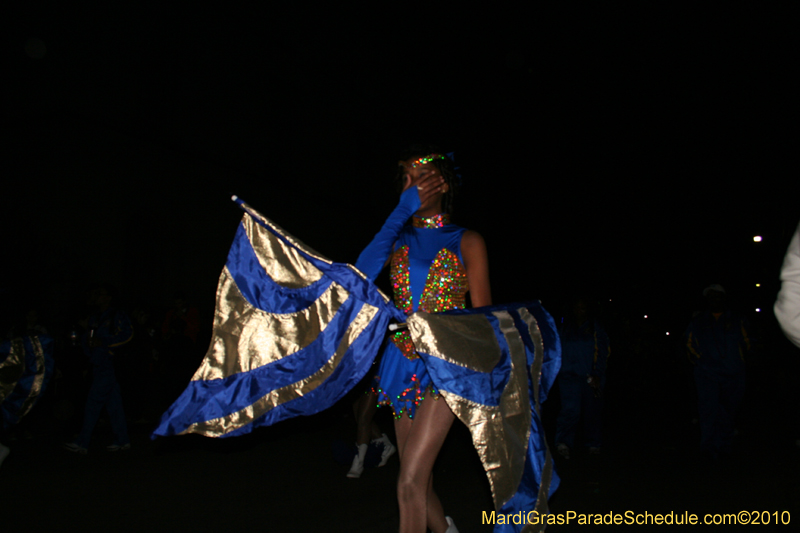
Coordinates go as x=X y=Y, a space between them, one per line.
x=635 y=152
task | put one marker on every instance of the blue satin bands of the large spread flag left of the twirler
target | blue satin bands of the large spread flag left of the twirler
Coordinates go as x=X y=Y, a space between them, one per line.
x=207 y=400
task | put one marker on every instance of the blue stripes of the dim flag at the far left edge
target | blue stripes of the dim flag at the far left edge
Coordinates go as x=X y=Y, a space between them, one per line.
x=12 y=404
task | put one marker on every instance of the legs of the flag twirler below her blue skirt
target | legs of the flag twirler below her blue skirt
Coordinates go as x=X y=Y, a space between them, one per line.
x=419 y=442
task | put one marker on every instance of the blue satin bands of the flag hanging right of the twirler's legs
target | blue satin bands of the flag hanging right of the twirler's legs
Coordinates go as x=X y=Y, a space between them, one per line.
x=486 y=388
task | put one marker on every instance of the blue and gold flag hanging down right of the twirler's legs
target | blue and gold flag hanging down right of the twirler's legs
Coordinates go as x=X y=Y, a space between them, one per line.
x=494 y=367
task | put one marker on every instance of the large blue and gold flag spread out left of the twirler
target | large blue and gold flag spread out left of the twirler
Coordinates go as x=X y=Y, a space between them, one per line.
x=293 y=332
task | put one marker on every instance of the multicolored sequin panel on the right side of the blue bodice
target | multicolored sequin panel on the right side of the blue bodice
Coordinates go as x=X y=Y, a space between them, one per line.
x=446 y=286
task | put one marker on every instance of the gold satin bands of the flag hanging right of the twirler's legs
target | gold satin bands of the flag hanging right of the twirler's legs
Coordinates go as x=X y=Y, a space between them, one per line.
x=499 y=433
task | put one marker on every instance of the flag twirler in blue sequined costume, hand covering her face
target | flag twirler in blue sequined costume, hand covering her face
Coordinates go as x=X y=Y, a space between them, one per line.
x=433 y=265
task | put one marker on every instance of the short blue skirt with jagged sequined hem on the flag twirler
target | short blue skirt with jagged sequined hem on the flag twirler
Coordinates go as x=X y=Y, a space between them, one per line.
x=401 y=383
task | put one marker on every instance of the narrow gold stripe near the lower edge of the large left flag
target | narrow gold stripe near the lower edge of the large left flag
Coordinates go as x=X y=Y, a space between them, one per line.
x=226 y=424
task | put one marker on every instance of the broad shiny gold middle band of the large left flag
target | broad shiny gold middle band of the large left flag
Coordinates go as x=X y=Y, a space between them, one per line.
x=246 y=338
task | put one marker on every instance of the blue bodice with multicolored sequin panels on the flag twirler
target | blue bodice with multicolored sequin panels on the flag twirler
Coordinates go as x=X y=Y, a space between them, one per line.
x=427 y=272
